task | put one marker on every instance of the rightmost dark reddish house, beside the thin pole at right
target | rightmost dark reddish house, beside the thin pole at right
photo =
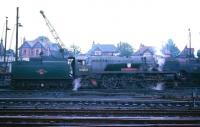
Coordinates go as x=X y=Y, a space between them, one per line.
x=186 y=53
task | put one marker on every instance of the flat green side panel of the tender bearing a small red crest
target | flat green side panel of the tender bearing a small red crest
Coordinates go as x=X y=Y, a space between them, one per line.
x=40 y=70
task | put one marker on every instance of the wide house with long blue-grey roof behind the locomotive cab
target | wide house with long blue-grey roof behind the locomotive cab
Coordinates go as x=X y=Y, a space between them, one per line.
x=102 y=50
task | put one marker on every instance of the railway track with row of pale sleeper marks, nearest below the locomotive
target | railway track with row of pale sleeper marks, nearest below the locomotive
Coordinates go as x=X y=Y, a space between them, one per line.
x=110 y=103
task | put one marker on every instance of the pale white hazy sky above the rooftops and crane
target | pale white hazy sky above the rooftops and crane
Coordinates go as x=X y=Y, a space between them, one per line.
x=80 y=22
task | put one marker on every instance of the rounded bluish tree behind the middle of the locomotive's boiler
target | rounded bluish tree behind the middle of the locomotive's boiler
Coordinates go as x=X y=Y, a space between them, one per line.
x=124 y=49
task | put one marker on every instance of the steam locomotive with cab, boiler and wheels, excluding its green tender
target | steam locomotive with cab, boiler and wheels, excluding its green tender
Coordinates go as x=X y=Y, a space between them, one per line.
x=113 y=72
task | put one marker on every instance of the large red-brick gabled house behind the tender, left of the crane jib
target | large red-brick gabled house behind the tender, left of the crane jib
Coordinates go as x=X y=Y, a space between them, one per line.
x=36 y=48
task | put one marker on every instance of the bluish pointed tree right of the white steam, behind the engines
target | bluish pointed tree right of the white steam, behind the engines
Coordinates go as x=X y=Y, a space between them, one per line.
x=170 y=48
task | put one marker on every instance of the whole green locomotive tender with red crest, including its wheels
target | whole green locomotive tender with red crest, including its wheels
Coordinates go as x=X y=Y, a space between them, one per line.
x=41 y=72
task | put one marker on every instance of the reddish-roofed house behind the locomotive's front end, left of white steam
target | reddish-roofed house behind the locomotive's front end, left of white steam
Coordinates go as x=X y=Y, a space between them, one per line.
x=145 y=51
